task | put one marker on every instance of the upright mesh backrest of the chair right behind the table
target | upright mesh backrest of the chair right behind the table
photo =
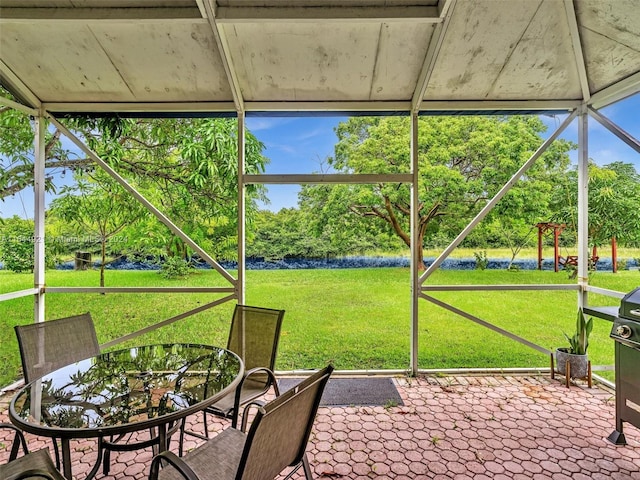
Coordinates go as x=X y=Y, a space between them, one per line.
x=254 y=335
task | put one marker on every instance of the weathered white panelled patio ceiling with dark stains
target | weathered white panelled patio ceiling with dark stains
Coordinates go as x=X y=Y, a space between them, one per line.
x=314 y=55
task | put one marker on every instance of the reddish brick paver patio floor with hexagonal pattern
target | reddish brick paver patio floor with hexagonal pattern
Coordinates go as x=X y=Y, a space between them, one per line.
x=462 y=427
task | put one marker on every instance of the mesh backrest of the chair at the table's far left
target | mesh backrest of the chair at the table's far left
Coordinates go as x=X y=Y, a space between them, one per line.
x=47 y=346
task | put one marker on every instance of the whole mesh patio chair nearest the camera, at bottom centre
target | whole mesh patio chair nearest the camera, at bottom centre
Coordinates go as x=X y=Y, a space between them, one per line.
x=277 y=439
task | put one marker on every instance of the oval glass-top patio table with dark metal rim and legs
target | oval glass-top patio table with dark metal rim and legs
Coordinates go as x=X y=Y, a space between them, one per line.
x=133 y=389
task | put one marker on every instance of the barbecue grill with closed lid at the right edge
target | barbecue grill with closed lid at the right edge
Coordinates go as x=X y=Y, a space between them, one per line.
x=626 y=333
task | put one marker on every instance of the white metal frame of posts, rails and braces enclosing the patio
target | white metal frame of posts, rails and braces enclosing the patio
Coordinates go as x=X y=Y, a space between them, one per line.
x=237 y=286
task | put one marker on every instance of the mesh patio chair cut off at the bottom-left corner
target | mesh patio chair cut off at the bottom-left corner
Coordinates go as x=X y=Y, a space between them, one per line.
x=37 y=464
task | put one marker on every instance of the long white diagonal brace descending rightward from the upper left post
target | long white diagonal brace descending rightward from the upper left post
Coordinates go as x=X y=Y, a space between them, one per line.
x=138 y=196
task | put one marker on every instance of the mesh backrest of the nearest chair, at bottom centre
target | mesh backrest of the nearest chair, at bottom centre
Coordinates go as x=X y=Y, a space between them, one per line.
x=280 y=431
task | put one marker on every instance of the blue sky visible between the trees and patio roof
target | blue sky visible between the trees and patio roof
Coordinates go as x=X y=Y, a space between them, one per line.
x=302 y=145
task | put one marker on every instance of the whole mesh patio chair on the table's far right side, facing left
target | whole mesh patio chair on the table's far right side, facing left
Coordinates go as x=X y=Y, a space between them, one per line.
x=254 y=336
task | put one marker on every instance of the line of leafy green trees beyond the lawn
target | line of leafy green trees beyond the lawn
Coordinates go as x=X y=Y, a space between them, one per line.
x=188 y=169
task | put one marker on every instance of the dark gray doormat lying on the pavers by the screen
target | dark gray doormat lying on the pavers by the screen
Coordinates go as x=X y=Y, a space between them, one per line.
x=354 y=391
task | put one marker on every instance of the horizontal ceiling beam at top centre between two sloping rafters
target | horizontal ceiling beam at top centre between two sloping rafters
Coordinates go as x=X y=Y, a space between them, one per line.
x=271 y=14
